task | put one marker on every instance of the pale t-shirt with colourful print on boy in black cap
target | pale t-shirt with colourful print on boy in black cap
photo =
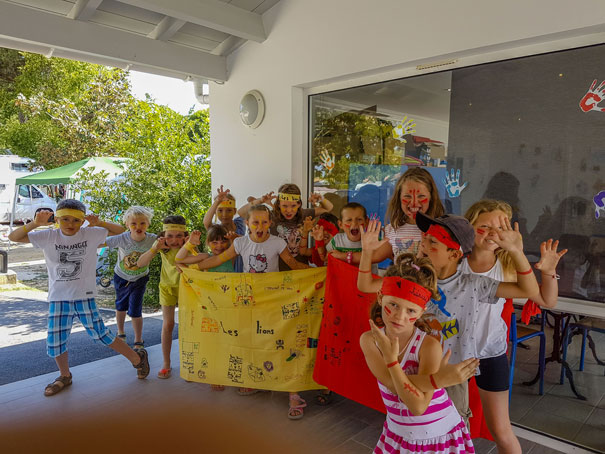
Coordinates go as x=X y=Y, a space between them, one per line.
x=454 y=320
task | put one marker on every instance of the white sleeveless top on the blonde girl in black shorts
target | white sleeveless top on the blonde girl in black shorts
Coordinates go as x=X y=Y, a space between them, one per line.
x=492 y=340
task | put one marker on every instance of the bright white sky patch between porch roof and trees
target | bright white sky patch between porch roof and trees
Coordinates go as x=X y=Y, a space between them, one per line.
x=174 y=93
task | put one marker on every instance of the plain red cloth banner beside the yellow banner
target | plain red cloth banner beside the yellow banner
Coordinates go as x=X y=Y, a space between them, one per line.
x=341 y=365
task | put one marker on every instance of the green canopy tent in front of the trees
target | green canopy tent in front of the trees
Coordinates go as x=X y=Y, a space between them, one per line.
x=69 y=174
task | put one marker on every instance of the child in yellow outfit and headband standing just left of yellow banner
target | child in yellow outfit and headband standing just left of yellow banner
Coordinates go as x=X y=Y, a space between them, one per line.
x=171 y=239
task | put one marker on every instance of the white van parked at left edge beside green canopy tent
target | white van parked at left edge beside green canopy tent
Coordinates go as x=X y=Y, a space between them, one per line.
x=29 y=198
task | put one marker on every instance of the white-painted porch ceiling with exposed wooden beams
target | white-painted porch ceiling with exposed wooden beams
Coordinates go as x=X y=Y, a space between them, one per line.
x=178 y=38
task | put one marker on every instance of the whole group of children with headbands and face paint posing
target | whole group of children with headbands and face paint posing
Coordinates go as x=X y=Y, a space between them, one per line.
x=448 y=271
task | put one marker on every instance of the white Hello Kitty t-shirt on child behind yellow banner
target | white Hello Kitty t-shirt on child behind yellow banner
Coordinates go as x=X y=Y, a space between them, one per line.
x=259 y=257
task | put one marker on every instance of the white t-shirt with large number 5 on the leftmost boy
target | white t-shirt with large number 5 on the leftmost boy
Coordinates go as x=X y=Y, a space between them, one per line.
x=71 y=261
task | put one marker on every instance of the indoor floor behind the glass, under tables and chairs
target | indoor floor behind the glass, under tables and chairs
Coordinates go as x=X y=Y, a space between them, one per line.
x=558 y=412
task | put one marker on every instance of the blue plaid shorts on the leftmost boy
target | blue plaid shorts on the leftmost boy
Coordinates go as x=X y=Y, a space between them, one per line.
x=60 y=319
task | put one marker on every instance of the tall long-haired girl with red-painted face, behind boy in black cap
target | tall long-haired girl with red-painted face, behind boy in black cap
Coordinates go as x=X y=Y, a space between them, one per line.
x=415 y=192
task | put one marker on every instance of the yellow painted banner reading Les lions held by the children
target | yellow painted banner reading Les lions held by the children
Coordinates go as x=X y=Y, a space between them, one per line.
x=251 y=330
